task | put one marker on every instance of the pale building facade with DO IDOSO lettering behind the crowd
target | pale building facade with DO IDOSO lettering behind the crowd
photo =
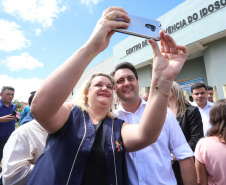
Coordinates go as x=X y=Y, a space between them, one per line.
x=200 y=26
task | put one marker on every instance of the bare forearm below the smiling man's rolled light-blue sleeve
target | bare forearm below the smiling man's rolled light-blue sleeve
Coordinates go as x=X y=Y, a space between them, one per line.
x=188 y=173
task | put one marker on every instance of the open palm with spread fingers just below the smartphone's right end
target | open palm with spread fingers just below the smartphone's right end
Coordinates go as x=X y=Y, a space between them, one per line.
x=169 y=60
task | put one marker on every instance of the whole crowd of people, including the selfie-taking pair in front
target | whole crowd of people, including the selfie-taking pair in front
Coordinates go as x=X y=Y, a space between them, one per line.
x=156 y=138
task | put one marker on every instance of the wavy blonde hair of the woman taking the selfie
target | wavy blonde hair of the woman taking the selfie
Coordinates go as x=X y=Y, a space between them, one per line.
x=81 y=99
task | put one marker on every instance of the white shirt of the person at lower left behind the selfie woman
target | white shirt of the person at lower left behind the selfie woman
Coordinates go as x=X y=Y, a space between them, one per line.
x=21 y=151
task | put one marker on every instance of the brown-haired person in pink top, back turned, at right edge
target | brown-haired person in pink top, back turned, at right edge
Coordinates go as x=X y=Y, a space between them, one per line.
x=210 y=152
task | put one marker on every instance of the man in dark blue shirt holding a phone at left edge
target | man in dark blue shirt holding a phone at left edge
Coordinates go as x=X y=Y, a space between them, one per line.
x=7 y=120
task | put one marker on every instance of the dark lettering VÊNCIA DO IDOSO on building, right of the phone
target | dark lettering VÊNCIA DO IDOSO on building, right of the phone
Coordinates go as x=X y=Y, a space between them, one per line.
x=211 y=8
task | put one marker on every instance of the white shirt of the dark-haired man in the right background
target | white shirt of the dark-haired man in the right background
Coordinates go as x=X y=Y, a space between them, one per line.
x=205 y=115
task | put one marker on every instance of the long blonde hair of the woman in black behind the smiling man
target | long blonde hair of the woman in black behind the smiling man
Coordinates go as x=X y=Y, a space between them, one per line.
x=181 y=101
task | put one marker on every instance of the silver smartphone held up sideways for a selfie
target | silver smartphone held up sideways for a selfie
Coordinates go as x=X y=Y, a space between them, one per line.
x=141 y=27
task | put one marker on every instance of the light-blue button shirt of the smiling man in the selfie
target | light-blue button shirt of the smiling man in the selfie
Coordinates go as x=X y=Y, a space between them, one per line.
x=152 y=165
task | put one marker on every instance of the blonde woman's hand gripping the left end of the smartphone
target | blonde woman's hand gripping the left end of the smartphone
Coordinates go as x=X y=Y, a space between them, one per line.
x=102 y=33
